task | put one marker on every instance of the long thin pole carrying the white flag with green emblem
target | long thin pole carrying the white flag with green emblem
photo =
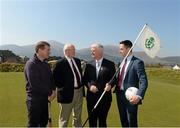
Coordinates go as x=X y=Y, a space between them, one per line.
x=116 y=72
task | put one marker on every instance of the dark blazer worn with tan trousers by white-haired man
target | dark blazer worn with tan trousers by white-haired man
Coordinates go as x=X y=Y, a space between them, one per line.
x=64 y=80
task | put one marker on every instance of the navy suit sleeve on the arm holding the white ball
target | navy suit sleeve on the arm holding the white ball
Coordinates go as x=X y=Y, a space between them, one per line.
x=143 y=82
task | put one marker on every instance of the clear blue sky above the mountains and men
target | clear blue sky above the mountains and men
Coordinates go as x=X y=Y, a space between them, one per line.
x=83 y=22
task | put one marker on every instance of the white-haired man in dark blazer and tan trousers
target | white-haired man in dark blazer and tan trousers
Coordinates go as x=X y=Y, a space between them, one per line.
x=68 y=79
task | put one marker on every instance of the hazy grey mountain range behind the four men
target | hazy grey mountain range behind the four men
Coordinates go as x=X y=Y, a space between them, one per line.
x=110 y=52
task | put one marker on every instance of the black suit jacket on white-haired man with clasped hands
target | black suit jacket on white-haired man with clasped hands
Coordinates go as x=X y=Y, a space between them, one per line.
x=106 y=72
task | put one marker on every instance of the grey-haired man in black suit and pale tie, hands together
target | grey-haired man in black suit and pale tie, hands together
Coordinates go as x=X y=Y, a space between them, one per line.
x=96 y=76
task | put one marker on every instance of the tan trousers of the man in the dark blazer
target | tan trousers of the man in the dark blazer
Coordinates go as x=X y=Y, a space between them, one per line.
x=75 y=106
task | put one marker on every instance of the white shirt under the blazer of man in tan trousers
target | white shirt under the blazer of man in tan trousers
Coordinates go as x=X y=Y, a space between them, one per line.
x=70 y=63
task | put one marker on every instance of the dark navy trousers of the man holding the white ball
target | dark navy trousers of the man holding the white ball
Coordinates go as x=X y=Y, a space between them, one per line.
x=127 y=111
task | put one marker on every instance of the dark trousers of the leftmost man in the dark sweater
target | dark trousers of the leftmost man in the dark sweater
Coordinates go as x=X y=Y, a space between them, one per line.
x=37 y=113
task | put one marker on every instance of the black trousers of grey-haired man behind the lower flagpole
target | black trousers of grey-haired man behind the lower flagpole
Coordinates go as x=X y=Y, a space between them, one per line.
x=100 y=113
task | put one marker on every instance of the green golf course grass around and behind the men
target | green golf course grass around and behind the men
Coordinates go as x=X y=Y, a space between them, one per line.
x=161 y=106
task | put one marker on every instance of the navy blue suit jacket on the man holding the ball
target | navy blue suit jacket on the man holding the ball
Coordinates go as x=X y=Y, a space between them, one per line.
x=135 y=77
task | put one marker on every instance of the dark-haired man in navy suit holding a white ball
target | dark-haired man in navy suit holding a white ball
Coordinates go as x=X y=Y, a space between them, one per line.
x=131 y=74
